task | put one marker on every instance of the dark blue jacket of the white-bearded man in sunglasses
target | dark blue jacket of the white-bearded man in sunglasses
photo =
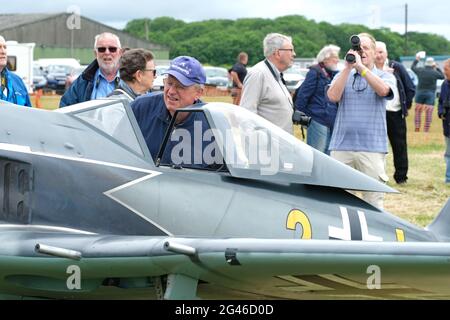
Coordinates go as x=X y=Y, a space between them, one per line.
x=81 y=89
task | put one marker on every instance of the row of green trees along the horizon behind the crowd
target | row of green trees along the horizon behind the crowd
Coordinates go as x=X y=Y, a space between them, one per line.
x=218 y=41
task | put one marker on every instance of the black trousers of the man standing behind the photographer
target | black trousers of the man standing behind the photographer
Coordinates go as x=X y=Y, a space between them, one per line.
x=396 y=126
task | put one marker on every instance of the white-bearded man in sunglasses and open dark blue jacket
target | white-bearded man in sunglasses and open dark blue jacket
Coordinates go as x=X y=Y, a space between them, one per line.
x=101 y=77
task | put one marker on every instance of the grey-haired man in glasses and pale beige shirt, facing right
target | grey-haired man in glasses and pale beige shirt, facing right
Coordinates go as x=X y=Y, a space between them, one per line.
x=265 y=92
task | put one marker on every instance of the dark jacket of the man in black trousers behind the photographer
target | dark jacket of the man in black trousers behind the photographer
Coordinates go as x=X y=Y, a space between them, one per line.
x=405 y=86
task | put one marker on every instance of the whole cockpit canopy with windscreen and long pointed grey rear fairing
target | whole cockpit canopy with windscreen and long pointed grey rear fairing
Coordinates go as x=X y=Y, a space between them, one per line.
x=227 y=139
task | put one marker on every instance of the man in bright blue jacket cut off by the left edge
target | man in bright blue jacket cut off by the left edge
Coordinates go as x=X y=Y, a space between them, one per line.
x=12 y=88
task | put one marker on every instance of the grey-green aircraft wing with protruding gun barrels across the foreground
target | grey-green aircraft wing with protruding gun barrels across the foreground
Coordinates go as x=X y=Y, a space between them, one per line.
x=127 y=266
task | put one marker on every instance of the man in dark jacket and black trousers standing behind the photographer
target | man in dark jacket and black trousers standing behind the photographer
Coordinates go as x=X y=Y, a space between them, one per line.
x=397 y=110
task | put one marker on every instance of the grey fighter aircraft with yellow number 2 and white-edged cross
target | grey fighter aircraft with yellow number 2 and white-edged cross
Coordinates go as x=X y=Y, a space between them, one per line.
x=87 y=213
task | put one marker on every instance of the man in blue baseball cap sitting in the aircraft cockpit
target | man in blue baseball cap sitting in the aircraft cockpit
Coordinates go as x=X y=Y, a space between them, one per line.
x=183 y=87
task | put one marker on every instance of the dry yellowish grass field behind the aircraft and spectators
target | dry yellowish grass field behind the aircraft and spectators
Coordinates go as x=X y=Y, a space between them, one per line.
x=421 y=199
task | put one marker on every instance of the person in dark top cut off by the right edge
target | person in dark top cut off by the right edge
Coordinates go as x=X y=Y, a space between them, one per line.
x=444 y=114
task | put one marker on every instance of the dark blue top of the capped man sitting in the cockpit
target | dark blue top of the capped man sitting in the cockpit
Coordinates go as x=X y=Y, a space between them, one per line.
x=154 y=119
